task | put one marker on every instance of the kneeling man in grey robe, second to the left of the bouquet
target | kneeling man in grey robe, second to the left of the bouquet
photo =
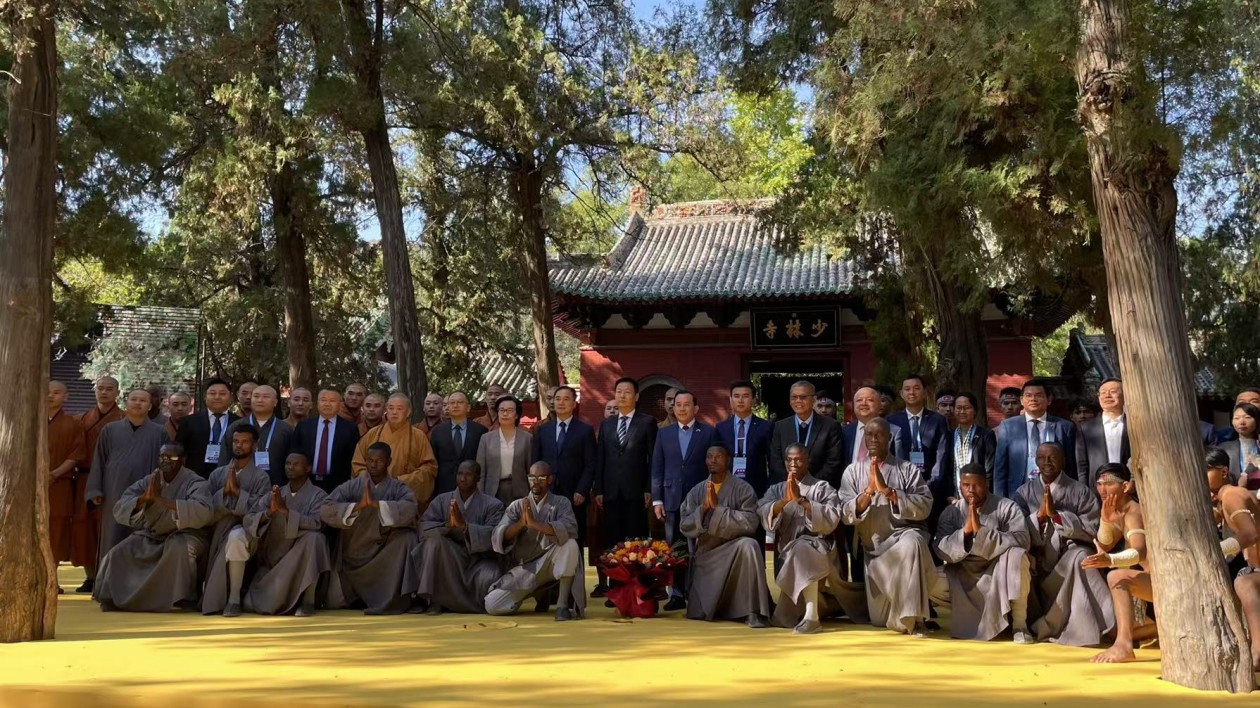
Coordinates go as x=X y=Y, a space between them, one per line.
x=455 y=560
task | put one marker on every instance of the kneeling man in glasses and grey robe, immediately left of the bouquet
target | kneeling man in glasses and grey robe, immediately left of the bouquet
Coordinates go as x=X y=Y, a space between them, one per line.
x=539 y=535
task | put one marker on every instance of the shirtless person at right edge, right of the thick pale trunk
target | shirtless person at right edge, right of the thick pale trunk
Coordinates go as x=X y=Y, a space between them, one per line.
x=1237 y=511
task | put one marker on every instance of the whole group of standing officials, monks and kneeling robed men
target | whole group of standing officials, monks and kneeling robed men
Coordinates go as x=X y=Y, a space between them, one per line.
x=1033 y=528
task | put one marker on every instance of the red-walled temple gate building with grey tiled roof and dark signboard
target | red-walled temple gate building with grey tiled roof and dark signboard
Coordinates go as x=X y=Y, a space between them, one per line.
x=702 y=294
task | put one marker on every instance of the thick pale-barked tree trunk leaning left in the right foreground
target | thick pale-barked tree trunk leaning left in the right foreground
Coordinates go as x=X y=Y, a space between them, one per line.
x=1204 y=637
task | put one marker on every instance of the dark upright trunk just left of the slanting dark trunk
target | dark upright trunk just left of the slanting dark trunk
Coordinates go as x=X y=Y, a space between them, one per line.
x=288 y=220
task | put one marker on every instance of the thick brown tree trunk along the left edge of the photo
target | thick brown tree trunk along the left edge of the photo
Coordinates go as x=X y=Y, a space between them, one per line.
x=28 y=575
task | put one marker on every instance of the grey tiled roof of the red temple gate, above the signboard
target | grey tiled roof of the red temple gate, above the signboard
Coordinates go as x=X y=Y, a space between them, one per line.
x=702 y=251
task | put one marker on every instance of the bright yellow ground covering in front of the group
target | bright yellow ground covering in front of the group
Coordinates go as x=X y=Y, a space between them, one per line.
x=106 y=661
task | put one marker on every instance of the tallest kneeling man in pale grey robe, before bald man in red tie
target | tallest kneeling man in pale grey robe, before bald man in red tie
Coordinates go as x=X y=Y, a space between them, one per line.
x=889 y=503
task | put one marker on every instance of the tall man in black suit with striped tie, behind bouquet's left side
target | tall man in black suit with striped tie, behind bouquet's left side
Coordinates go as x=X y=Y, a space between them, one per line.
x=623 y=471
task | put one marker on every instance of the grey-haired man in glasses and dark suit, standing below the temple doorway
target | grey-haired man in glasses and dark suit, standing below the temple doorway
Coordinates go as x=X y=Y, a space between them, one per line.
x=822 y=437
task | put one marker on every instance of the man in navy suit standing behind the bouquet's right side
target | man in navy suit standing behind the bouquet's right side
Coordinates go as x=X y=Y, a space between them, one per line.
x=677 y=467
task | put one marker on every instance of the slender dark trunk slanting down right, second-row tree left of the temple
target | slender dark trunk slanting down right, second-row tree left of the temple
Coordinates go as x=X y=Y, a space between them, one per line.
x=364 y=55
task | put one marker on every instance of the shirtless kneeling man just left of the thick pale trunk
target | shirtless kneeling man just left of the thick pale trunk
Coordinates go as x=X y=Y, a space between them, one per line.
x=1131 y=578
